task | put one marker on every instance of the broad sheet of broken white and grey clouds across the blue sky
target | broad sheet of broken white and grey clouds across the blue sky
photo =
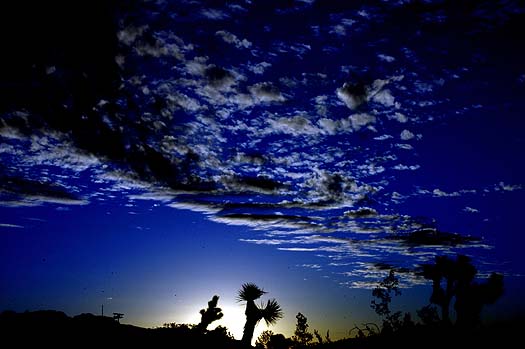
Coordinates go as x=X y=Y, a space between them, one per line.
x=182 y=129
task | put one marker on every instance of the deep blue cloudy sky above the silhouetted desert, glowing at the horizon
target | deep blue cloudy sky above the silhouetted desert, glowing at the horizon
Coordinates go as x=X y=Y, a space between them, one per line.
x=155 y=153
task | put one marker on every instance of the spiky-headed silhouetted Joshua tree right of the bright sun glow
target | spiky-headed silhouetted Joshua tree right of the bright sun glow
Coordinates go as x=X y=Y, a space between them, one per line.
x=271 y=312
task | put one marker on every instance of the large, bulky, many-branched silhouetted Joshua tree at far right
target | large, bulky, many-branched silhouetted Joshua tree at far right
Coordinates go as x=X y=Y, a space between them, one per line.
x=455 y=278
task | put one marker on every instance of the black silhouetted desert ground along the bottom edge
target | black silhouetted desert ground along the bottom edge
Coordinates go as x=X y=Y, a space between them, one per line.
x=55 y=329
